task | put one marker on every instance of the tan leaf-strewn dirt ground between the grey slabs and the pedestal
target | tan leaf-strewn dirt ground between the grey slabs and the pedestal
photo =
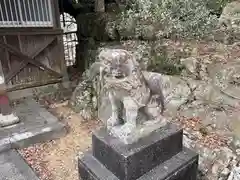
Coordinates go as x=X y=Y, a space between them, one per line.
x=57 y=160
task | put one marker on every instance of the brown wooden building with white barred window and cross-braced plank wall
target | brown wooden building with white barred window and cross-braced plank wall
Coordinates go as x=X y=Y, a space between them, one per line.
x=31 y=47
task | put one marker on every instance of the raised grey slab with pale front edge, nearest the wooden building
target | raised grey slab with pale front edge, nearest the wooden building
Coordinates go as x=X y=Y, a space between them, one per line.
x=36 y=125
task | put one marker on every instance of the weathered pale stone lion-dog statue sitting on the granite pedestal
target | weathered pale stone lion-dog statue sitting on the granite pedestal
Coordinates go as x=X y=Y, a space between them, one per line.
x=129 y=91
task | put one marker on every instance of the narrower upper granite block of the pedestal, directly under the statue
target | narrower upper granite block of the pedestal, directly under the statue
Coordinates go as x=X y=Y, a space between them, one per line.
x=129 y=162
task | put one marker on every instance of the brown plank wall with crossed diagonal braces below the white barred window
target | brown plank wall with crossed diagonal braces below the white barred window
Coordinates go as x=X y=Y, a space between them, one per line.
x=32 y=60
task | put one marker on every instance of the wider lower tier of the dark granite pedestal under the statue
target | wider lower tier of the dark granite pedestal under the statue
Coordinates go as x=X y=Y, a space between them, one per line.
x=182 y=166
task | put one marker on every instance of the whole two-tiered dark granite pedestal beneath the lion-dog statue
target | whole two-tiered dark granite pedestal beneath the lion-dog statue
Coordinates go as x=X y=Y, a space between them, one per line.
x=157 y=156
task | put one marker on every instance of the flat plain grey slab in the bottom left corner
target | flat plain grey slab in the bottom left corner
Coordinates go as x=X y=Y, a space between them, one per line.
x=13 y=167
